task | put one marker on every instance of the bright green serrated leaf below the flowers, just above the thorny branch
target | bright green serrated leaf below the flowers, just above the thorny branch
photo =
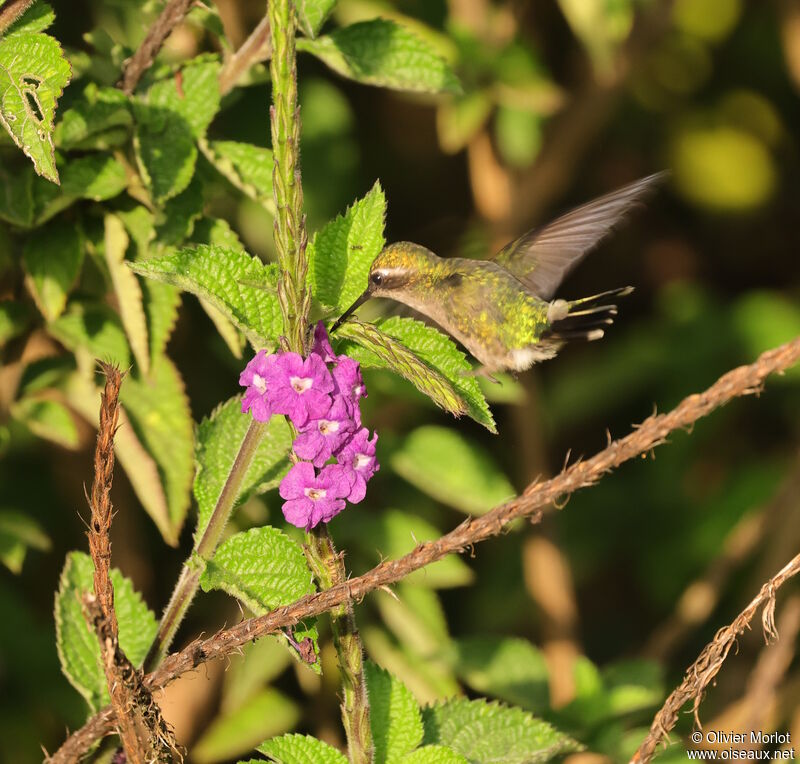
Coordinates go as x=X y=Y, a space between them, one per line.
x=262 y=567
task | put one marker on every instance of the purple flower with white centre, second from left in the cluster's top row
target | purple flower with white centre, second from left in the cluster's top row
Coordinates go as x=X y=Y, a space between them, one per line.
x=299 y=388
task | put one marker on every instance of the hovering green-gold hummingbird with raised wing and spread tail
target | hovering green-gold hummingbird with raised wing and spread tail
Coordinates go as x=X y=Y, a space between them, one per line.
x=502 y=310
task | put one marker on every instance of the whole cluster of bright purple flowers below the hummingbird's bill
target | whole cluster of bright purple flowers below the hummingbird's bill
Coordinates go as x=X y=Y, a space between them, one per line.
x=320 y=395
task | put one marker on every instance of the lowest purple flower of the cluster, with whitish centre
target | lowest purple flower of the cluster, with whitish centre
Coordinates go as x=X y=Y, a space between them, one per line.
x=312 y=498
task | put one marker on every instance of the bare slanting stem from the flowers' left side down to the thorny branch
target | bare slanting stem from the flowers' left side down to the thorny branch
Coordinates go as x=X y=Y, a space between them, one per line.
x=204 y=548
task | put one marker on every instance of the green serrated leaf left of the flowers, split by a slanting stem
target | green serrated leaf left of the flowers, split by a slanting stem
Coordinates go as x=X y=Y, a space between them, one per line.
x=218 y=440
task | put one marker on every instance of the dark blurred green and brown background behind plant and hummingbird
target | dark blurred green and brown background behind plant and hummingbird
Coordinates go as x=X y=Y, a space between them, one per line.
x=602 y=606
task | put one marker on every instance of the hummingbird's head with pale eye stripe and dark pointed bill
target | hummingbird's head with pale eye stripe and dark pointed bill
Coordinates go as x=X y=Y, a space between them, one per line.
x=395 y=272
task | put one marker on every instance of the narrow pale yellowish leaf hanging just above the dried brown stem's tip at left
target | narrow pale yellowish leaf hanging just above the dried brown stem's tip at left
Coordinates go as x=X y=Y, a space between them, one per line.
x=127 y=290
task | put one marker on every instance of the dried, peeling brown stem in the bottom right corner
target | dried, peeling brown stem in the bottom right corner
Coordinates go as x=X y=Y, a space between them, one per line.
x=709 y=662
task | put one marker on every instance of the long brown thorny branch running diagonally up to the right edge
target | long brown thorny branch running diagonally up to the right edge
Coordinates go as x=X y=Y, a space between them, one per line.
x=744 y=380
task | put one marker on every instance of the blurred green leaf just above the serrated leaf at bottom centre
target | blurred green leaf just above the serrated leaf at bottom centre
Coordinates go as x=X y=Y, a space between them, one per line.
x=506 y=668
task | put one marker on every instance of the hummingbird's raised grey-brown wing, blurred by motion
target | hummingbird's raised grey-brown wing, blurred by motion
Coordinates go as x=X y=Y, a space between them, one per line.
x=541 y=258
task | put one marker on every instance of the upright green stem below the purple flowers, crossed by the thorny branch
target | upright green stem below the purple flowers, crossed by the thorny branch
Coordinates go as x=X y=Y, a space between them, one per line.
x=329 y=571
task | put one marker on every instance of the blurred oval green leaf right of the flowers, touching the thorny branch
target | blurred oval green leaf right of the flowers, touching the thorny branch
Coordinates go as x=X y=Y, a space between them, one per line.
x=442 y=464
